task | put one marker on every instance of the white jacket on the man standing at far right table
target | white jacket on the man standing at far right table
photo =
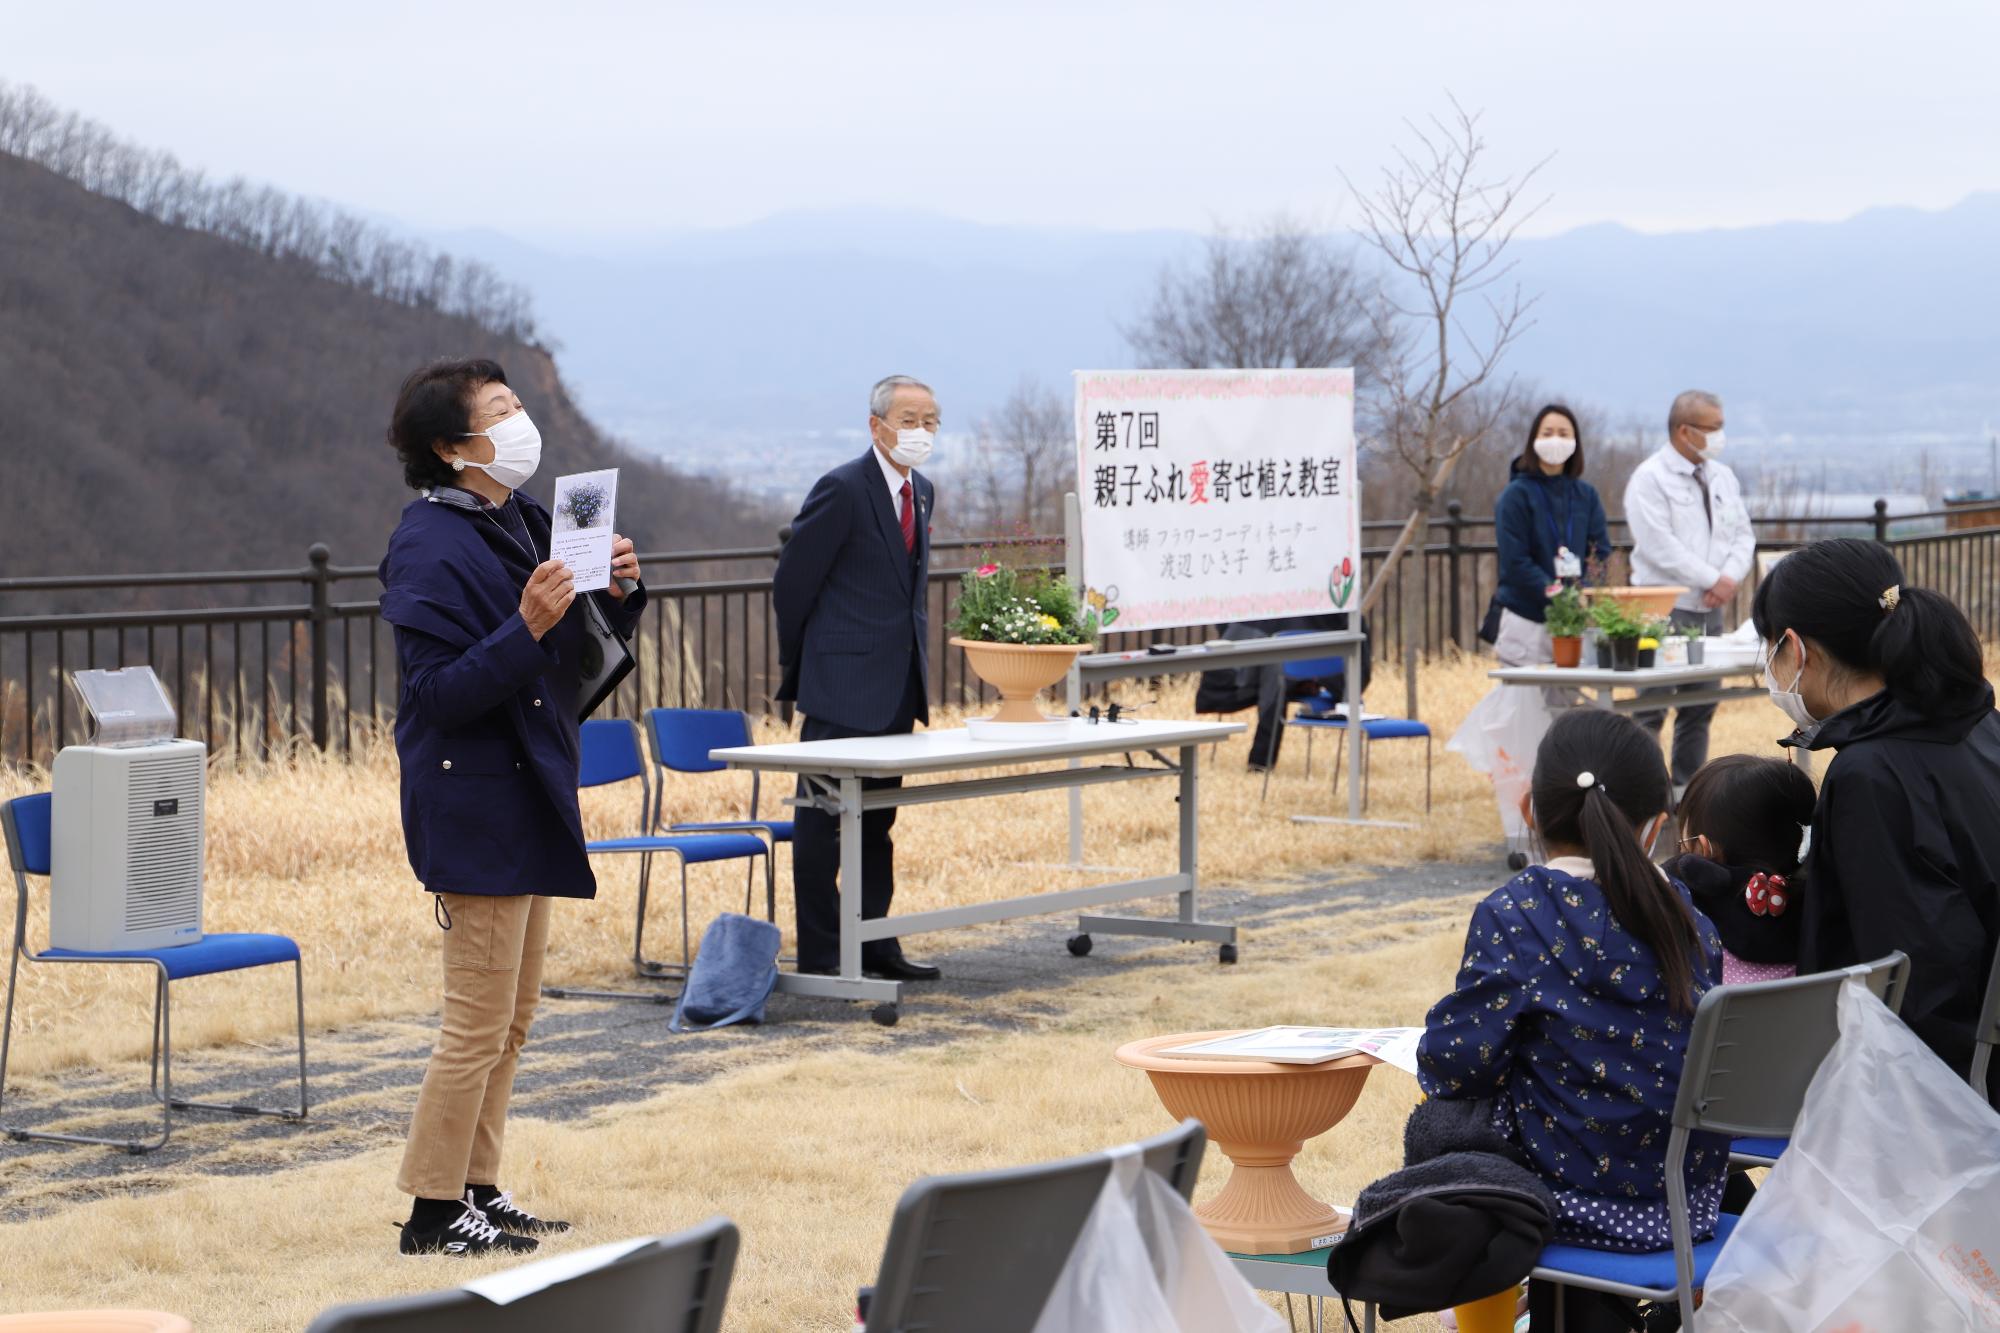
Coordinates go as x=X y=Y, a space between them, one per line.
x=1675 y=539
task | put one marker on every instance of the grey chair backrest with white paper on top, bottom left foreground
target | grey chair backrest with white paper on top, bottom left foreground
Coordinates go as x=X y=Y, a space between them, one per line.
x=673 y=1284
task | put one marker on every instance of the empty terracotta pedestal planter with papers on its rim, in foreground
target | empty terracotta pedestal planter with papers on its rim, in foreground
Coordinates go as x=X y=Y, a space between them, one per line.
x=1259 y=1116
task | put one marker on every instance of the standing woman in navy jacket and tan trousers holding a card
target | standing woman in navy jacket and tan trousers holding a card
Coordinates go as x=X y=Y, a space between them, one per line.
x=489 y=639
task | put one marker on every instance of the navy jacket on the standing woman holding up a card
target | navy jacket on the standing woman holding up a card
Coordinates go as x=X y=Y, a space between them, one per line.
x=487 y=716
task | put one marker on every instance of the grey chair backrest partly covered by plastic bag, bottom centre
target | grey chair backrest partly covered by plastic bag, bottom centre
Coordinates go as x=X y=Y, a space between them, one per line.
x=979 y=1254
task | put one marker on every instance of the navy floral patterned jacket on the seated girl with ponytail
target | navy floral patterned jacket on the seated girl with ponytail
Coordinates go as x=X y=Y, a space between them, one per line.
x=1563 y=1020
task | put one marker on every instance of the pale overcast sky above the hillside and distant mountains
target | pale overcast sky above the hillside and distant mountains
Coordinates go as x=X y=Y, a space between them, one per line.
x=627 y=117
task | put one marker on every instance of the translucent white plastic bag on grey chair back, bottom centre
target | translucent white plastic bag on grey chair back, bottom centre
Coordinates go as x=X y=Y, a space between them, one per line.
x=1145 y=1266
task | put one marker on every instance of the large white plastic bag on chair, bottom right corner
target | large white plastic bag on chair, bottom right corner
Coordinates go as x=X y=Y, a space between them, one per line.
x=1885 y=1212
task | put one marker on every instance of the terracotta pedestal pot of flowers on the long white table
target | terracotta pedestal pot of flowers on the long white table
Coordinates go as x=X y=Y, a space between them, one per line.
x=1021 y=629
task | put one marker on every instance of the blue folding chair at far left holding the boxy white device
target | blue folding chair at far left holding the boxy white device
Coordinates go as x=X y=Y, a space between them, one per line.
x=27 y=826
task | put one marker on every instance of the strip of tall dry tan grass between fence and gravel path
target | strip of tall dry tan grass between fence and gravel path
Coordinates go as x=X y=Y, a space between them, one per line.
x=313 y=848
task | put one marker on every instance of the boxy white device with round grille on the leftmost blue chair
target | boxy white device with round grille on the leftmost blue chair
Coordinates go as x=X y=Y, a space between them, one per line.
x=127 y=824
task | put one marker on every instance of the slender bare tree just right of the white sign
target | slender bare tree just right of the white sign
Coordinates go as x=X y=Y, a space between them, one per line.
x=1445 y=227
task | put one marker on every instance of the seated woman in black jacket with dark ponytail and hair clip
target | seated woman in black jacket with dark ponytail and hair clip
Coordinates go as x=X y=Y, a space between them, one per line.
x=1907 y=838
